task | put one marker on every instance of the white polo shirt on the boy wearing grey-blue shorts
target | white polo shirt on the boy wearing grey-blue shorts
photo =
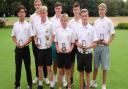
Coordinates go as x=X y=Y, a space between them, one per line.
x=104 y=26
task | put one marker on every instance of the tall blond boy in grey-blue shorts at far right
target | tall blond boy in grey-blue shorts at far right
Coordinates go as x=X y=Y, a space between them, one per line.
x=105 y=32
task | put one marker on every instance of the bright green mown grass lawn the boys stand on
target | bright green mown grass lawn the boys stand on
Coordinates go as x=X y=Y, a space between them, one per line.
x=117 y=75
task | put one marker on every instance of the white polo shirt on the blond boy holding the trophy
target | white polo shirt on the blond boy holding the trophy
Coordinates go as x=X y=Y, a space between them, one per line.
x=40 y=31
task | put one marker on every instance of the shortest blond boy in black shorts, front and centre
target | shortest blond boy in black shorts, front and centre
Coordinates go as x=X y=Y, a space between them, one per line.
x=64 y=44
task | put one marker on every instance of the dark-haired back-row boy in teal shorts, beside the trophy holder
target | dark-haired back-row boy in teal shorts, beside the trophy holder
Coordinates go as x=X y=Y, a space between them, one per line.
x=55 y=22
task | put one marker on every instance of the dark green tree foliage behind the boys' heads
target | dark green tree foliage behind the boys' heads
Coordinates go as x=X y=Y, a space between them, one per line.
x=115 y=7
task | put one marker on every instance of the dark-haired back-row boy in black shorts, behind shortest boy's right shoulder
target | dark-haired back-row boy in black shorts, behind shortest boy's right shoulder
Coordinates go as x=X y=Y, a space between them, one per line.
x=74 y=24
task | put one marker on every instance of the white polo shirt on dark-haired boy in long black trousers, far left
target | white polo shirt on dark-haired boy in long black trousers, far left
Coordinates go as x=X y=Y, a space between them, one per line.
x=22 y=31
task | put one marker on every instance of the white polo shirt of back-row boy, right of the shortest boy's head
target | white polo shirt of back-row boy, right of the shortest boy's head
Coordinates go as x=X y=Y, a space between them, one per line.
x=75 y=25
